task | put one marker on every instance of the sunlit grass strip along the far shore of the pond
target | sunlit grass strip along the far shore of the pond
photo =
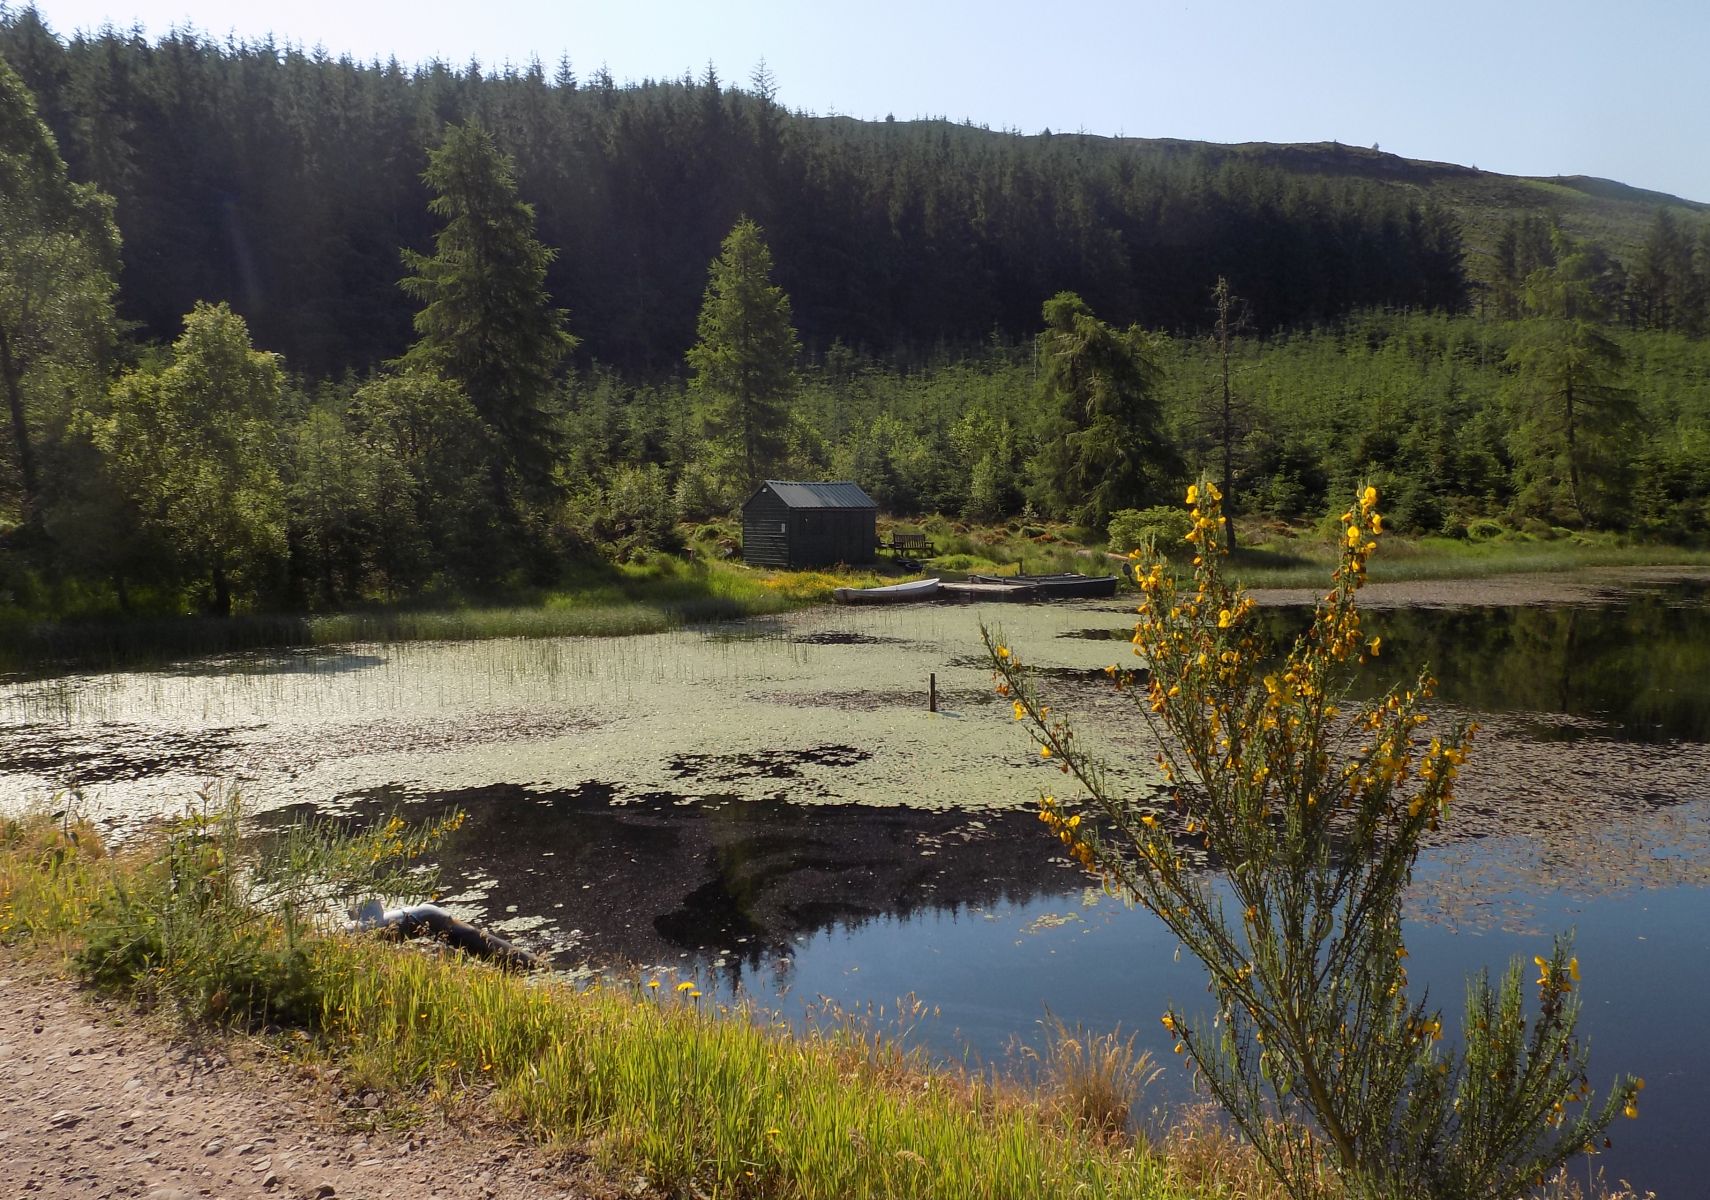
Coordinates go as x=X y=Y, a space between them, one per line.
x=668 y=592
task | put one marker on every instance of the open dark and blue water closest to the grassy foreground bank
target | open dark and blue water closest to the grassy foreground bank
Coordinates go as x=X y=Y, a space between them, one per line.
x=972 y=912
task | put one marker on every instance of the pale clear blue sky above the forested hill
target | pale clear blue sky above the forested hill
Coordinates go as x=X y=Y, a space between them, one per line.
x=1619 y=90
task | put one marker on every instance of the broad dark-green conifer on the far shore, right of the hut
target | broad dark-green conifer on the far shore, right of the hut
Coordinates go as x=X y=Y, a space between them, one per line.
x=1104 y=447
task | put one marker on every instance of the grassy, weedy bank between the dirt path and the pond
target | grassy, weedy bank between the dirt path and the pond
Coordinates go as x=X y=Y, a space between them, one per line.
x=646 y=1076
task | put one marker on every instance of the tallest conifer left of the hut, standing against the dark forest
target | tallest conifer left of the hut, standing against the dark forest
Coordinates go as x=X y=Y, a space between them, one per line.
x=486 y=319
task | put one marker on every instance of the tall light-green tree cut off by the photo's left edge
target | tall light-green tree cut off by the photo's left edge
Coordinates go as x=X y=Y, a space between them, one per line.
x=59 y=254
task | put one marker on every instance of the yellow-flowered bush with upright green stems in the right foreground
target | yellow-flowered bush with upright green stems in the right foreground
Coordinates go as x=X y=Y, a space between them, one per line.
x=1316 y=818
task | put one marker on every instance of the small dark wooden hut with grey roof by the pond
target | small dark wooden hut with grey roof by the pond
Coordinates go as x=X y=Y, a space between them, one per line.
x=806 y=526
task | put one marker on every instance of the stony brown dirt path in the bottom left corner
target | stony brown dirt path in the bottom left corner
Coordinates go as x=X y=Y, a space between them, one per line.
x=97 y=1102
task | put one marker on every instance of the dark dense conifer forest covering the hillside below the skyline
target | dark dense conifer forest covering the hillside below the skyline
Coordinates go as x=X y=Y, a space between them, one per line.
x=285 y=182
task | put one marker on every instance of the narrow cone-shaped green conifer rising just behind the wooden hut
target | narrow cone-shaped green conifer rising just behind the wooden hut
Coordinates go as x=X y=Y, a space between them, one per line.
x=745 y=360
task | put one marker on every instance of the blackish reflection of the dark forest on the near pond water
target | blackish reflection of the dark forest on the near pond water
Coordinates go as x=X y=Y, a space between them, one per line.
x=657 y=879
